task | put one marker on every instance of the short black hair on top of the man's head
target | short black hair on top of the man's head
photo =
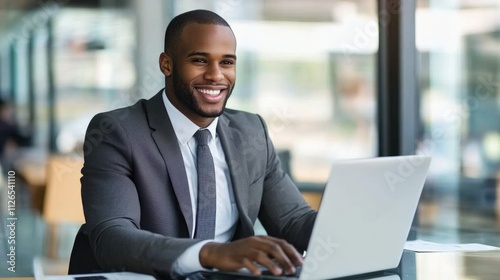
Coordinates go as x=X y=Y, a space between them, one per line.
x=177 y=24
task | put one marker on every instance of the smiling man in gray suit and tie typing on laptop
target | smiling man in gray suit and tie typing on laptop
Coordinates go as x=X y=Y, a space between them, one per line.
x=174 y=184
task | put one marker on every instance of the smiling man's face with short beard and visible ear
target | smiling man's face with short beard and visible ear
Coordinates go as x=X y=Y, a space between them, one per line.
x=202 y=71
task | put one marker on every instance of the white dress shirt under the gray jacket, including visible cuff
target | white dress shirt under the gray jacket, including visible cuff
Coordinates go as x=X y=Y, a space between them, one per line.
x=226 y=211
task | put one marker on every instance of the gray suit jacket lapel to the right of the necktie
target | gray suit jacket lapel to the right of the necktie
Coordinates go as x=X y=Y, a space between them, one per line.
x=234 y=152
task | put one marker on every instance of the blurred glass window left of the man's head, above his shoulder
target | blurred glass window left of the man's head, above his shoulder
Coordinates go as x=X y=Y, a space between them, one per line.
x=94 y=67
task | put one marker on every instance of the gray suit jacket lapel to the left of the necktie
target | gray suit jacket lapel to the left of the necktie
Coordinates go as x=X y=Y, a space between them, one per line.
x=166 y=141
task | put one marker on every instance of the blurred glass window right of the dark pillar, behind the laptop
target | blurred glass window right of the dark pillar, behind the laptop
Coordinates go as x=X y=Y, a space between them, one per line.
x=459 y=51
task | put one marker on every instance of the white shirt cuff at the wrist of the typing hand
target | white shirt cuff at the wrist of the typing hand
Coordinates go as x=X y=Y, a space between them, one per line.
x=189 y=261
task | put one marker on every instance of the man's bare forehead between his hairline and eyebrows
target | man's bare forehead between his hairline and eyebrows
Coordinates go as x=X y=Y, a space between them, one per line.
x=208 y=38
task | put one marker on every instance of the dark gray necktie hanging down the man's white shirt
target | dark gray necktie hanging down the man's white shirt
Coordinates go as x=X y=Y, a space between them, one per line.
x=205 y=217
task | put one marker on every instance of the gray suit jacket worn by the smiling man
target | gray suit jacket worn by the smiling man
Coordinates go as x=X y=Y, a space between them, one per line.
x=135 y=190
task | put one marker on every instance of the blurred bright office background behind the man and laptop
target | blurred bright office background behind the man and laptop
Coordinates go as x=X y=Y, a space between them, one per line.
x=334 y=79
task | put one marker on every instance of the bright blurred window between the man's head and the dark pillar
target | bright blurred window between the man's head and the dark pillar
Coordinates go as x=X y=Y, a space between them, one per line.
x=308 y=67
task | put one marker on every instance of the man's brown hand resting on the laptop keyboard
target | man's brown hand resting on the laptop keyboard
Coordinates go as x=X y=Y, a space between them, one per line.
x=275 y=254
